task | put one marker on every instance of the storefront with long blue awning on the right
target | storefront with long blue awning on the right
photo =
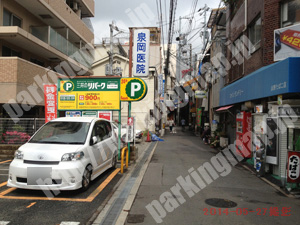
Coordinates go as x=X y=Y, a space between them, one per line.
x=271 y=95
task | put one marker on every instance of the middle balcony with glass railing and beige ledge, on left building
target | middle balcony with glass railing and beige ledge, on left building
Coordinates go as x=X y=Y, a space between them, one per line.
x=47 y=43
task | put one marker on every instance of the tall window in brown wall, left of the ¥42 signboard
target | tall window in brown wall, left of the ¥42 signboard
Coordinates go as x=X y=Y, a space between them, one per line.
x=254 y=35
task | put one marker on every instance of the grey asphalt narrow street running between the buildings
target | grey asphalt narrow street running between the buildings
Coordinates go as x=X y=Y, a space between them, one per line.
x=252 y=200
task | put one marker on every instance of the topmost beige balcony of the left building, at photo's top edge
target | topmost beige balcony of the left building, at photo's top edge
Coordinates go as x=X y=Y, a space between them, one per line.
x=57 y=13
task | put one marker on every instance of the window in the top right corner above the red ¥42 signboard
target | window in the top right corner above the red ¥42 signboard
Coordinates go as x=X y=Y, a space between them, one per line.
x=290 y=13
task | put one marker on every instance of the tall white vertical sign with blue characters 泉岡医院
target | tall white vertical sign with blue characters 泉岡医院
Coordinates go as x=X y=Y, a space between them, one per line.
x=141 y=49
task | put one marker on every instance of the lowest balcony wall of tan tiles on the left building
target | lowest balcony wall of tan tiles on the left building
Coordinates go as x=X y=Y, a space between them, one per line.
x=18 y=77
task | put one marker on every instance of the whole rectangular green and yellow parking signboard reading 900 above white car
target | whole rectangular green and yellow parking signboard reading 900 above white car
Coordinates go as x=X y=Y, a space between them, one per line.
x=89 y=94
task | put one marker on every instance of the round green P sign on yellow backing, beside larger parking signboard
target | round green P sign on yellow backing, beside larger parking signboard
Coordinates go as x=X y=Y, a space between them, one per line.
x=133 y=89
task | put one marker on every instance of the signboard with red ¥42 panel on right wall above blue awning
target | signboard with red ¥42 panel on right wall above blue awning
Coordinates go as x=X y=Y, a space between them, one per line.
x=287 y=42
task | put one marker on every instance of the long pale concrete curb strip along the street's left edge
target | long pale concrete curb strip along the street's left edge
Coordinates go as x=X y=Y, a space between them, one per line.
x=127 y=206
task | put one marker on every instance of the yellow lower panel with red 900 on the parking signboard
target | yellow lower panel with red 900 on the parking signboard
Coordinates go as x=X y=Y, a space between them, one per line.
x=89 y=100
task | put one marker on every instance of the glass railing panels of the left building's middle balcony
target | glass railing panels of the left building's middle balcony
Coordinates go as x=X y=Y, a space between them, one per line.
x=50 y=36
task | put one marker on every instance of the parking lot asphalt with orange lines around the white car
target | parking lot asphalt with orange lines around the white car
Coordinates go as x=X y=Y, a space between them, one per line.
x=28 y=207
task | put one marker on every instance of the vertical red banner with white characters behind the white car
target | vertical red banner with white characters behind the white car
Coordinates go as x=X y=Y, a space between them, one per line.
x=50 y=95
